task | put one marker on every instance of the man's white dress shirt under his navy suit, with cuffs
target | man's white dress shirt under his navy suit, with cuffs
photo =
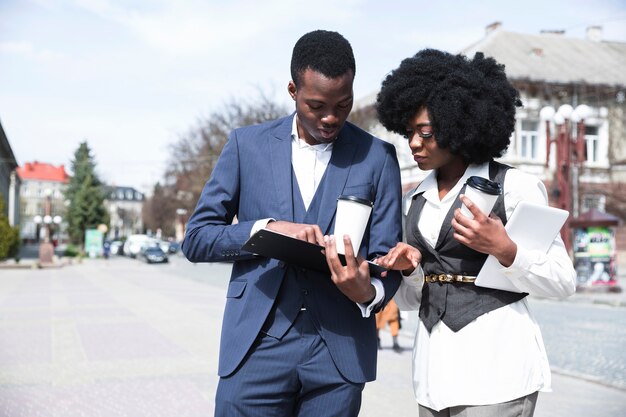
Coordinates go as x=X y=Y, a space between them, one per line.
x=309 y=163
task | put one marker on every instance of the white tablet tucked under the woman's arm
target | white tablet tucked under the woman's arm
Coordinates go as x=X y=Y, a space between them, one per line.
x=532 y=226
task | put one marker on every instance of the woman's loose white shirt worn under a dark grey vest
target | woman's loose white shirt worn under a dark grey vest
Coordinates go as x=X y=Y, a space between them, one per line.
x=500 y=355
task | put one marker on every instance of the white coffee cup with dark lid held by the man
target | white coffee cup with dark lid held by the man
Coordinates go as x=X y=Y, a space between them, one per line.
x=351 y=219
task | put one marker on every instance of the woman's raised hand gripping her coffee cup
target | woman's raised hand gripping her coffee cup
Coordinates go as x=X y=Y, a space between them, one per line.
x=483 y=234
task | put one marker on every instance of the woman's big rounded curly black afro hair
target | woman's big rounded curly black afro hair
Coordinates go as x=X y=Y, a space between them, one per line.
x=470 y=102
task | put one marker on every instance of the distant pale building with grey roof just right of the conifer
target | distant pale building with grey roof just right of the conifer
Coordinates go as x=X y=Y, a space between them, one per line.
x=125 y=206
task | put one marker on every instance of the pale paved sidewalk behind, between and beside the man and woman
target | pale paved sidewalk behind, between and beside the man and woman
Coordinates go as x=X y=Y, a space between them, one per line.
x=122 y=338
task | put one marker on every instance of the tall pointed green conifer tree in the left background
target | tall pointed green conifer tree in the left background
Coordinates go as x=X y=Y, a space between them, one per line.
x=85 y=195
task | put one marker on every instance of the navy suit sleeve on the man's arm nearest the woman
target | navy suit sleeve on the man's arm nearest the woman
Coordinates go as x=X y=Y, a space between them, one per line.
x=386 y=226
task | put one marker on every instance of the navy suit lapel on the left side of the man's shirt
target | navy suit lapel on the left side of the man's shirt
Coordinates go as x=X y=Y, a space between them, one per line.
x=280 y=164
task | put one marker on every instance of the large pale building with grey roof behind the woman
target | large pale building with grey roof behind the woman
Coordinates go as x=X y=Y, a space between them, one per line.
x=551 y=70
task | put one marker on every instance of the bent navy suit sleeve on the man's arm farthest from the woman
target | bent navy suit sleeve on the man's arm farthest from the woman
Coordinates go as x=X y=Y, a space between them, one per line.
x=211 y=235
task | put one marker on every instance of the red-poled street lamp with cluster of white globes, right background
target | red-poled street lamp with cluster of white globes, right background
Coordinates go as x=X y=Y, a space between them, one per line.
x=570 y=154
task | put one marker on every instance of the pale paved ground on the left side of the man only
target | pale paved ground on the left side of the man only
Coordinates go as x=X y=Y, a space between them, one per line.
x=83 y=341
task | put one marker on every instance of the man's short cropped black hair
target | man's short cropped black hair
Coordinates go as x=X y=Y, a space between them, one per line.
x=326 y=52
